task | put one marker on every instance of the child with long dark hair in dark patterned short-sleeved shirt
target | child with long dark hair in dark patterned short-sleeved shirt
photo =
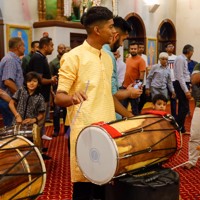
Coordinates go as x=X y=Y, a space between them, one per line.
x=27 y=104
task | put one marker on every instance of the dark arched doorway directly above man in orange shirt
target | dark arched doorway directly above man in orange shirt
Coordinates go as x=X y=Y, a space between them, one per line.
x=138 y=32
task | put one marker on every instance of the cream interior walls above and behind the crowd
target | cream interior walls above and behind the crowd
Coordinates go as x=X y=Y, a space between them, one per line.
x=183 y=13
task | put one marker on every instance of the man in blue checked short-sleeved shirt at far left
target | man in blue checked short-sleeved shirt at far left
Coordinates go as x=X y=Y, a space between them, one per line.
x=11 y=75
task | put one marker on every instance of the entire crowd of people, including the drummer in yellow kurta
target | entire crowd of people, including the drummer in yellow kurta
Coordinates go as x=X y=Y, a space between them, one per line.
x=91 y=82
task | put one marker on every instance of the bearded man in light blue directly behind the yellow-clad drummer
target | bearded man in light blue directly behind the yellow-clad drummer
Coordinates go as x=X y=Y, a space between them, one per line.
x=122 y=29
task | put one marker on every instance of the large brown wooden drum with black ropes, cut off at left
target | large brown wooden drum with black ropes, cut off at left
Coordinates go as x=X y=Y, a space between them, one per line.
x=22 y=169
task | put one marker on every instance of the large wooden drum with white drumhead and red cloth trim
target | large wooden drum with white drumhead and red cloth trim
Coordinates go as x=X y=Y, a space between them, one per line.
x=108 y=150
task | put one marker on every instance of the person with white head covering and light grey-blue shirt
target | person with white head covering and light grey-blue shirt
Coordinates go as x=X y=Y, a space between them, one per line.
x=159 y=78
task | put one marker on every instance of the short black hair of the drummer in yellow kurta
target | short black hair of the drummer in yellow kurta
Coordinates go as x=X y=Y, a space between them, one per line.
x=95 y=14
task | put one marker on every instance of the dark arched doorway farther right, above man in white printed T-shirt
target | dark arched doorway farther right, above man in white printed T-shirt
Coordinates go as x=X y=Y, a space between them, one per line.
x=166 y=33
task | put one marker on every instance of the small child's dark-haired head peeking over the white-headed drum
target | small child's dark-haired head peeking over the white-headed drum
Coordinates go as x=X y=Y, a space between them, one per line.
x=159 y=102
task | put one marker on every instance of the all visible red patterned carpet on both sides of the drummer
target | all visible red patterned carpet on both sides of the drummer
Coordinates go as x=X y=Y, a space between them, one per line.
x=59 y=187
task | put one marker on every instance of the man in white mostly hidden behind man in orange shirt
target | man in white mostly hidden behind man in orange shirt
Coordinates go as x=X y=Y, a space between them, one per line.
x=143 y=98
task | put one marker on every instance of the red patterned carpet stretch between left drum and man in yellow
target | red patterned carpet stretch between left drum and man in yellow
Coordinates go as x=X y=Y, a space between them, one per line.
x=58 y=185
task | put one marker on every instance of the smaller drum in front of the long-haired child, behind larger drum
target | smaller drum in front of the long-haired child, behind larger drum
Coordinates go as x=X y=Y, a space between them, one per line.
x=31 y=132
